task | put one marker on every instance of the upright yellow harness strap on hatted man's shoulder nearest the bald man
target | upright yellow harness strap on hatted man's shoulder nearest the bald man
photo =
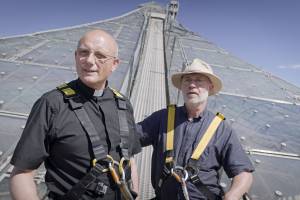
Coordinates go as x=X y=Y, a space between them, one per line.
x=170 y=131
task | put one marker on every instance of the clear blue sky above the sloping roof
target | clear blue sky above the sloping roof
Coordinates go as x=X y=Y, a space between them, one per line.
x=265 y=33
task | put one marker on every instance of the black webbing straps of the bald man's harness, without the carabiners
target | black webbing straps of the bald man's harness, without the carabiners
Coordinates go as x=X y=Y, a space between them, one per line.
x=100 y=153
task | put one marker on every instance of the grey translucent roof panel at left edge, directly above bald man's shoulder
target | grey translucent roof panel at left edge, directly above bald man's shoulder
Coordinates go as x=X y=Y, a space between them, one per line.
x=22 y=86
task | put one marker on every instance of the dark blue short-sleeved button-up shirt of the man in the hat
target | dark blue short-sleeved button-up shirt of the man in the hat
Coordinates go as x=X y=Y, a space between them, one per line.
x=224 y=150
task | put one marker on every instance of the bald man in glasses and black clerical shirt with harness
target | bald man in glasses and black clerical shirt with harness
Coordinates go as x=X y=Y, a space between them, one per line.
x=80 y=131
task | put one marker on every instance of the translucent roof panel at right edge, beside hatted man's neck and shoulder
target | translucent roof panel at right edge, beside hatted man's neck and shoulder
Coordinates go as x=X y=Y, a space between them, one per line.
x=264 y=124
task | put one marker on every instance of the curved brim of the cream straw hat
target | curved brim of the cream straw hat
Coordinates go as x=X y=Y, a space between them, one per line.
x=215 y=80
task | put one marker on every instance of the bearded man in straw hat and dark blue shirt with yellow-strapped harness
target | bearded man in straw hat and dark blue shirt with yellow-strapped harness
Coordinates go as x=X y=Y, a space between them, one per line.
x=192 y=144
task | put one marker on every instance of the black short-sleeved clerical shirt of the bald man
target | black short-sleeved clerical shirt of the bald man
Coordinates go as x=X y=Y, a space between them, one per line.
x=53 y=134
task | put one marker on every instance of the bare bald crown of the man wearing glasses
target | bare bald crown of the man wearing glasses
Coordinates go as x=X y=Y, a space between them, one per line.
x=102 y=39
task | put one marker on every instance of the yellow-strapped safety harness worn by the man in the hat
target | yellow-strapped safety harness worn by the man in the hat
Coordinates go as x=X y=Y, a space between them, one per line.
x=190 y=171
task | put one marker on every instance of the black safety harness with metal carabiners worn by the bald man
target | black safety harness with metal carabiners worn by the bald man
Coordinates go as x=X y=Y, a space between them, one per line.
x=102 y=162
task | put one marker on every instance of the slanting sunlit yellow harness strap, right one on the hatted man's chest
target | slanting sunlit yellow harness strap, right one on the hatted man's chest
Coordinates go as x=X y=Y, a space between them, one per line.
x=207 y=136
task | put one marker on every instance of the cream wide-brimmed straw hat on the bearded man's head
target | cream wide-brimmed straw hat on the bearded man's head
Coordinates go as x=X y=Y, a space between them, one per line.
x=199 y=67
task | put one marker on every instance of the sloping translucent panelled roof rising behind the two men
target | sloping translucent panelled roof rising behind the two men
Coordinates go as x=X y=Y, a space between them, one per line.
x=264 y=110
